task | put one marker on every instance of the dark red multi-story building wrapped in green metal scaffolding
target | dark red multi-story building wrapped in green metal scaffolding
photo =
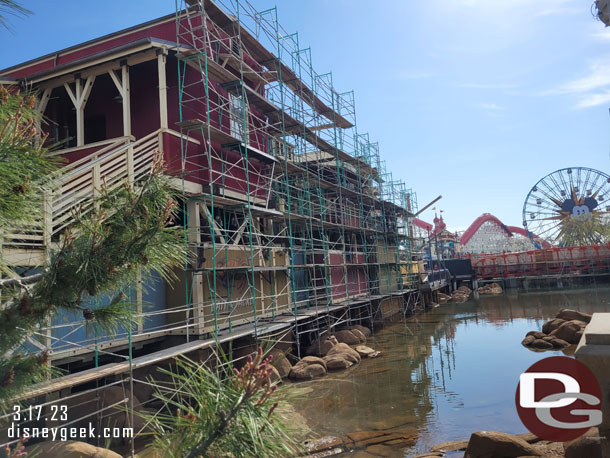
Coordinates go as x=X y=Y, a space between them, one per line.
x=294 y=222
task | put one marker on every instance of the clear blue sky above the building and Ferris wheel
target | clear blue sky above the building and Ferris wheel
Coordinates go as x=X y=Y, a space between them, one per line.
x=472 y=99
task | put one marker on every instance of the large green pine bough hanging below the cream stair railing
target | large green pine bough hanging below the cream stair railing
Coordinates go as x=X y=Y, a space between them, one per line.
x=101 y=254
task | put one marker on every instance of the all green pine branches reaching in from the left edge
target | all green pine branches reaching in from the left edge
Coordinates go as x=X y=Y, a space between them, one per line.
x=126 y=231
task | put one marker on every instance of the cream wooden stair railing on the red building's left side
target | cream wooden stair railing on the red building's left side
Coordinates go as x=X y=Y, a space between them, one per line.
x=74 y=187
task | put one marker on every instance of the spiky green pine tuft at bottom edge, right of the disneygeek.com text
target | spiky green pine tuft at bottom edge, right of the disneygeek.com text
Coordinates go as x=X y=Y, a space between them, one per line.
x=208 y=413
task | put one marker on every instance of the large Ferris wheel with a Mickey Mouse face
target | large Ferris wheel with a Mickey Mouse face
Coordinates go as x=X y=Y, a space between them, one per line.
x=568 y=207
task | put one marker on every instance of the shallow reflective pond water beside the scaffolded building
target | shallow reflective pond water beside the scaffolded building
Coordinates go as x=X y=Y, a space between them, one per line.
x=443 y=374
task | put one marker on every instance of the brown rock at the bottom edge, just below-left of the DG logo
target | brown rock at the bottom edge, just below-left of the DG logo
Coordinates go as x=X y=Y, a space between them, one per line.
x=488 y=444
